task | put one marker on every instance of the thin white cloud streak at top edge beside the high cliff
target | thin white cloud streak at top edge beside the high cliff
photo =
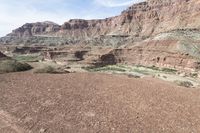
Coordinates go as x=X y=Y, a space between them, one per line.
x=116 y=3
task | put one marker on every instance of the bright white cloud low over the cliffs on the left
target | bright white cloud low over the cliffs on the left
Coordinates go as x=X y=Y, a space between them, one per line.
x=14 y=15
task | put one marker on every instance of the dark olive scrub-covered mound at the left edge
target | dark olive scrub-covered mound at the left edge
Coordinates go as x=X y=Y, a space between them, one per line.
x=9 y=65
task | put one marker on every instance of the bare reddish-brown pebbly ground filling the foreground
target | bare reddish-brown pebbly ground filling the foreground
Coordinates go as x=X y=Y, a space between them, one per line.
x=91 y=103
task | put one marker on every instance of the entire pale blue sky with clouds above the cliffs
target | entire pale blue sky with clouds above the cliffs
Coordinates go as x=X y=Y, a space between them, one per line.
x=14 y=13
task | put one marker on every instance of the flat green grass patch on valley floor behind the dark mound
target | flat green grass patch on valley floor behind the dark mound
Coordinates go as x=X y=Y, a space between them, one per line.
x=27 y=58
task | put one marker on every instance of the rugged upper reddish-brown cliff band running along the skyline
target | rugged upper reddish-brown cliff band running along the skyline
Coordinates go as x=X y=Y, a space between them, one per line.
x=143 y=19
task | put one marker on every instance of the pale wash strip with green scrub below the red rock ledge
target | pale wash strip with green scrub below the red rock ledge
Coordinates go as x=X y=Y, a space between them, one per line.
x=166 y=74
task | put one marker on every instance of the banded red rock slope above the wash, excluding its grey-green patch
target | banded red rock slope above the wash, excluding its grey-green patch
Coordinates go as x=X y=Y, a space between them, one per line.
x=152 y=53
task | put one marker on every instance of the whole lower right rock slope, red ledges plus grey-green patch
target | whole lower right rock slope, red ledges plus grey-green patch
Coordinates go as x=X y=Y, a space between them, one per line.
x=172 y=50
